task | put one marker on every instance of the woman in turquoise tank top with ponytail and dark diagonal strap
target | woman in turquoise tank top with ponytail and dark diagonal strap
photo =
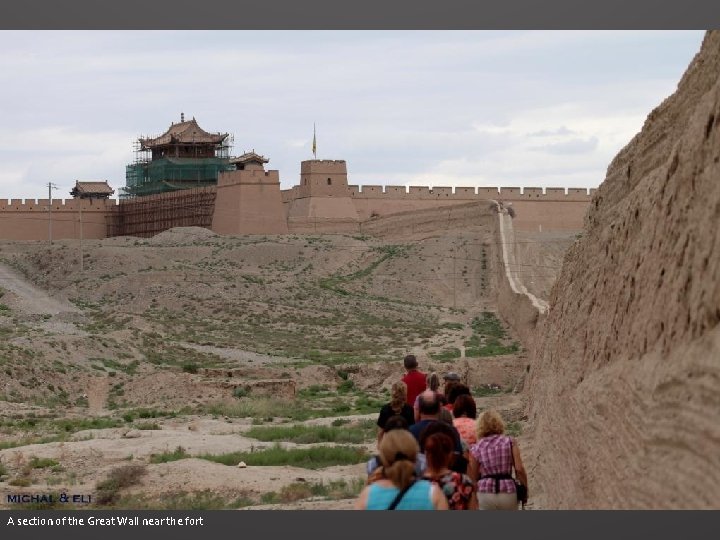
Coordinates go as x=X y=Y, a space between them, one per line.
x=394 y=485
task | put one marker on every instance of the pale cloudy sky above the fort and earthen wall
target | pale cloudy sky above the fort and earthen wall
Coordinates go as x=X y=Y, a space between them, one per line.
x=436 y=108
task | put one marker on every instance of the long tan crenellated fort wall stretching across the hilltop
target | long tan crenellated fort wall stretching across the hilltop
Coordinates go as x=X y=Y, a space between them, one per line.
x=244 y=205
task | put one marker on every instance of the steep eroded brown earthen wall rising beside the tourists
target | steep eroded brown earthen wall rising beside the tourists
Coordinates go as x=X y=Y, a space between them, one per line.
x=624 y=387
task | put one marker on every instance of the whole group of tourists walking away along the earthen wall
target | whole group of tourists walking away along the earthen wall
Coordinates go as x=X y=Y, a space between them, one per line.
x=434 y=453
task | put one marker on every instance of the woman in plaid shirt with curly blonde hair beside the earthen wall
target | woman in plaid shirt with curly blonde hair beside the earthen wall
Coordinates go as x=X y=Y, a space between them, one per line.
x=492 y=460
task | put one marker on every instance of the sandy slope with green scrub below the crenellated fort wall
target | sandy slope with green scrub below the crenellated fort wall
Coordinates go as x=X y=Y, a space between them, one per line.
x=141 y=375
